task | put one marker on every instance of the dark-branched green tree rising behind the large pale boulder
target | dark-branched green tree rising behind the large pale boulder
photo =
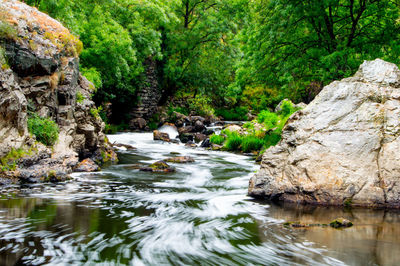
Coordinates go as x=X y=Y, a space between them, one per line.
x=292 y=43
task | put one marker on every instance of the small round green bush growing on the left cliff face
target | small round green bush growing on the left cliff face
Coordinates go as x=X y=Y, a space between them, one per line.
x=45 y=130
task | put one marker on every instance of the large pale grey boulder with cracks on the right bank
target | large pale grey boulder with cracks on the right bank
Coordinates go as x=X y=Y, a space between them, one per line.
x=343 y=148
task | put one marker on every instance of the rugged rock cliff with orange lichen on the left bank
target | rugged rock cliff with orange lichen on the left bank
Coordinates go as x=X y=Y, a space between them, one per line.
x=40 y=75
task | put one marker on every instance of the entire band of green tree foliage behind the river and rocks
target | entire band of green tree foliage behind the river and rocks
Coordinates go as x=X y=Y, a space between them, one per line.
x=234 y=53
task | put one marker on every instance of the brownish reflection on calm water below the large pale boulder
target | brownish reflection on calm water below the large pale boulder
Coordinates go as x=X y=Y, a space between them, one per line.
x=372 y=240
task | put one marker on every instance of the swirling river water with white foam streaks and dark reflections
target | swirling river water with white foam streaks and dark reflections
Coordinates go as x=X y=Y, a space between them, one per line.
x=199 y=215
